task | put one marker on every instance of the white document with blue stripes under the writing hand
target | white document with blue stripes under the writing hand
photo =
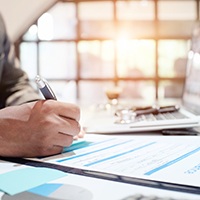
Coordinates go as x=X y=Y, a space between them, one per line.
x=171 y=159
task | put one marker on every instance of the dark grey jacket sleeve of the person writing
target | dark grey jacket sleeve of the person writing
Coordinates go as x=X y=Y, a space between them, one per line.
x=15 y=88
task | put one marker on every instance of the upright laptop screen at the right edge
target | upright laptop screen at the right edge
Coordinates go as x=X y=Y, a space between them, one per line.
x=191 y=93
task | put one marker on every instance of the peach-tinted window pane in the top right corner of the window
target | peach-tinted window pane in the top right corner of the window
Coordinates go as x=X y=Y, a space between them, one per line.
x=177 y=10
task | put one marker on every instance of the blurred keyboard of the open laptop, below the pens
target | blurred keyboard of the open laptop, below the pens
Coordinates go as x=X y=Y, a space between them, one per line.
x=160 y=116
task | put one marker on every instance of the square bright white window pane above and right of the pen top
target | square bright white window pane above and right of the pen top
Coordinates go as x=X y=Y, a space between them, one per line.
x=57 y=60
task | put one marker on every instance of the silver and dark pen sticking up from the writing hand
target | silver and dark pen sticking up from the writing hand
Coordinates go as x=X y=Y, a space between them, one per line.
x=45 y=88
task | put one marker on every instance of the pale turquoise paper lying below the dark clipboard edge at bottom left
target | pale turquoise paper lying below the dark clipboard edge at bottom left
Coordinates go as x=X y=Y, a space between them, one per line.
x=15 y=178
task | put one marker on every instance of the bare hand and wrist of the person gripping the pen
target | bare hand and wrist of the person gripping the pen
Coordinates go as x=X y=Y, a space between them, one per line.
x=39 y=128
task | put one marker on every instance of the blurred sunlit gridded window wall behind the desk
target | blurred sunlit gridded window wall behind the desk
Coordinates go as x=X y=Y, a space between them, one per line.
x=83 y=46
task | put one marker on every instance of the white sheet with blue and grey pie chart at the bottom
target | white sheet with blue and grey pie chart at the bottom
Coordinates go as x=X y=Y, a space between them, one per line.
x=76 y=187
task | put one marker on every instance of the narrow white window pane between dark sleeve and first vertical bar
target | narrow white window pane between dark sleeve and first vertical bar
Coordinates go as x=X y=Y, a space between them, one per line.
x=28 y=58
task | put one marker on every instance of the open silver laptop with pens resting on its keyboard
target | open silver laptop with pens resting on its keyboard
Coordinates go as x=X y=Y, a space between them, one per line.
x=185 y=115
